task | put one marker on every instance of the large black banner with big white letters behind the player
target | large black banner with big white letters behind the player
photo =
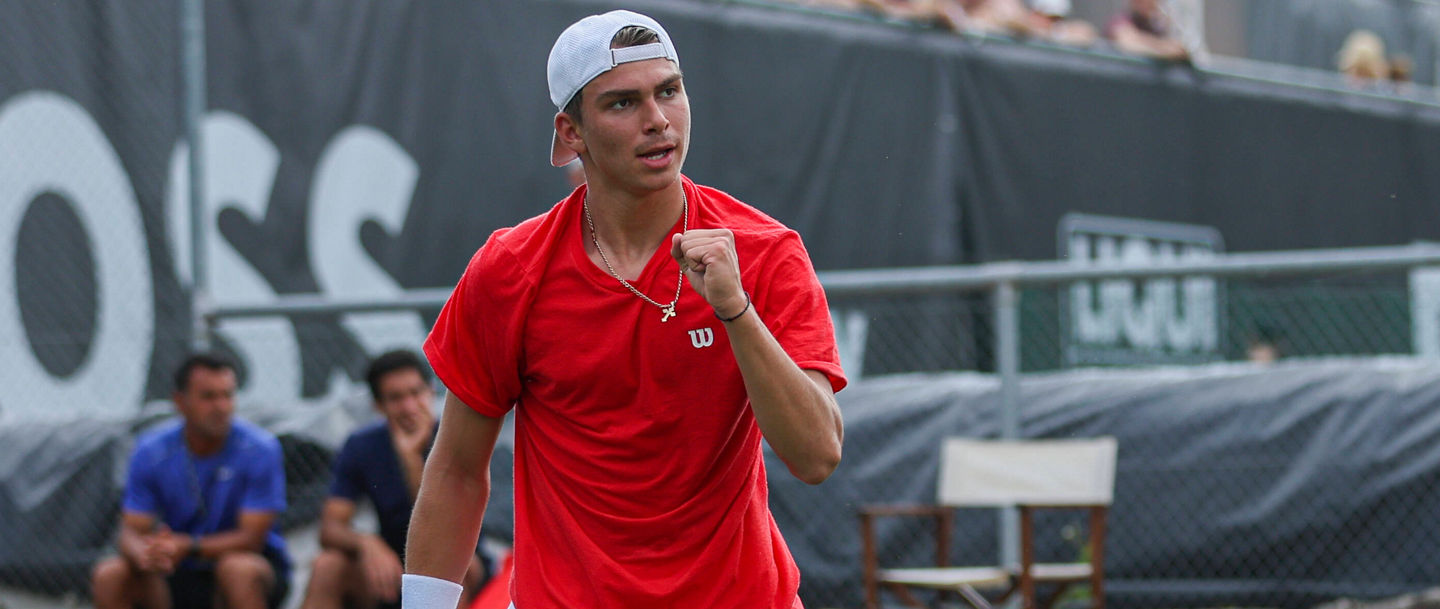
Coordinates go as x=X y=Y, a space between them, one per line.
x=356 y=150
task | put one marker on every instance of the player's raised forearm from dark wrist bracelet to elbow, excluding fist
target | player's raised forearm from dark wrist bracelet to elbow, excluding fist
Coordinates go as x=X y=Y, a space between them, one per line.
x=798 y=418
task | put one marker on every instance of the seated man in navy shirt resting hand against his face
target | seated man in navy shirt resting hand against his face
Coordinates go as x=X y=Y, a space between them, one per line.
x=381 y=463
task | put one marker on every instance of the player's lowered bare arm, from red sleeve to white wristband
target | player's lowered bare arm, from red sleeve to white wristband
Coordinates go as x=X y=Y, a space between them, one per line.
x=446 y=525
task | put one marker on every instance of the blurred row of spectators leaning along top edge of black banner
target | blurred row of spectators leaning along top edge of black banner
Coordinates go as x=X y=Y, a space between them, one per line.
x=1143 y=28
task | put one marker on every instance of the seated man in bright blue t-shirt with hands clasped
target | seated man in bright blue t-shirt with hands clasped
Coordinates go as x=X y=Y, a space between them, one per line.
x=201 y=507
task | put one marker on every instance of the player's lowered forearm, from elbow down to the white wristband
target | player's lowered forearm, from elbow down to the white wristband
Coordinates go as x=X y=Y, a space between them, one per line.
x=446 y=523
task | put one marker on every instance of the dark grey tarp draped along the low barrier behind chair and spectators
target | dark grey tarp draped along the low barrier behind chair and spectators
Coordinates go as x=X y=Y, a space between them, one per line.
x=1238 y=484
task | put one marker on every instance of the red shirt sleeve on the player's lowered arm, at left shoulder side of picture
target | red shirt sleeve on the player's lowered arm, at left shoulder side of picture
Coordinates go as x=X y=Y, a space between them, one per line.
x=476 y=345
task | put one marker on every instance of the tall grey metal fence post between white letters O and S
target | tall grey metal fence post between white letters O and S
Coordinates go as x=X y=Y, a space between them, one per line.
x=192 y=51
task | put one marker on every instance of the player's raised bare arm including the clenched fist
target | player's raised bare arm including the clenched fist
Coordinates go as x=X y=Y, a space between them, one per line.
x=796 y=410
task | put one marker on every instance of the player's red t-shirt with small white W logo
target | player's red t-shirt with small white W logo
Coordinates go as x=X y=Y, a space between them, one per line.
x=640 y=480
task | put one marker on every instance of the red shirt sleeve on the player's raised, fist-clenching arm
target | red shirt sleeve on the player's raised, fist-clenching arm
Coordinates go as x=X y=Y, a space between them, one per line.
x=794 y=307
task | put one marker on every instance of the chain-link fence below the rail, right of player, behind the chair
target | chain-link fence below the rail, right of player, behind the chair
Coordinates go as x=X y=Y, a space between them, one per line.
x=1236 y=398
